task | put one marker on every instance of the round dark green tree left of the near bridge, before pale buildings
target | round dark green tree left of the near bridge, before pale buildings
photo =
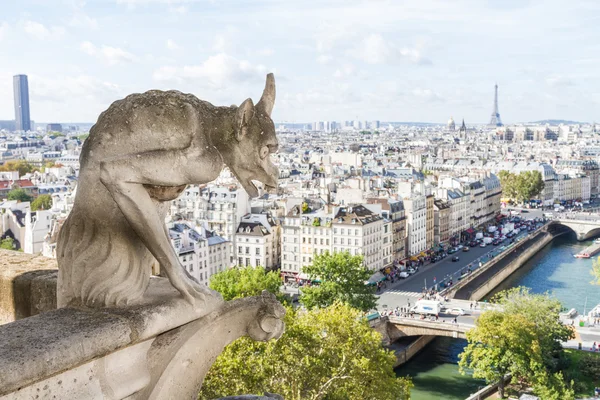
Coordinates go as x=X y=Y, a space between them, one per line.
x=342 y=278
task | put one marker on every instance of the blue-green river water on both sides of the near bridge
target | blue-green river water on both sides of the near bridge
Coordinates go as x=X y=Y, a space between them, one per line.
x=553 y=269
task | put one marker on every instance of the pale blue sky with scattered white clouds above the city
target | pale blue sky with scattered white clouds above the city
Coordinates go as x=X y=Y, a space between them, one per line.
x=335 y=60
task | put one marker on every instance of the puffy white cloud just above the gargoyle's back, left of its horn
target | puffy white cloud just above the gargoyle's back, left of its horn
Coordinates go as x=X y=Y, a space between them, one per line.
x=216 y=71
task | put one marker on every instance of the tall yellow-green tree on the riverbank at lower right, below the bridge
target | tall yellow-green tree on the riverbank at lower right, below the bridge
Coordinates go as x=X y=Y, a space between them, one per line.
x=521 y=337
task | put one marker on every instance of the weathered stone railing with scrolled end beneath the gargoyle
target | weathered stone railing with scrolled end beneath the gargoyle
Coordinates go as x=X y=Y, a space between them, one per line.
x=159 y=349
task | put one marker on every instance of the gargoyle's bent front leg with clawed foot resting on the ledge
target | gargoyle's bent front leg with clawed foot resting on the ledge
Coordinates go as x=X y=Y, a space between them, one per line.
x=124 y=178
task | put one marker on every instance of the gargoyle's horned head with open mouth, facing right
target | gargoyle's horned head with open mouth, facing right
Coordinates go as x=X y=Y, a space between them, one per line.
x=255 y=140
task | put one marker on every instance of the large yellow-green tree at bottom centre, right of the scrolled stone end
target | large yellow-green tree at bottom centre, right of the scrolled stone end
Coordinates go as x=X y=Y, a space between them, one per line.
x=329 y=353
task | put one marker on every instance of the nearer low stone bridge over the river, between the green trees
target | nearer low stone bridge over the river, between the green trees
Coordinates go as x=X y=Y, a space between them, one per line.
x=393 y=328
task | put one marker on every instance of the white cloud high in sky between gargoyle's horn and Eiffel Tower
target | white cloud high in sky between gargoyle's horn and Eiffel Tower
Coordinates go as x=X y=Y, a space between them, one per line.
x=374 y=49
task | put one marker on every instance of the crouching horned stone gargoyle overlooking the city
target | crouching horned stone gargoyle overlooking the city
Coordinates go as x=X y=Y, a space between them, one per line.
x=141 y=153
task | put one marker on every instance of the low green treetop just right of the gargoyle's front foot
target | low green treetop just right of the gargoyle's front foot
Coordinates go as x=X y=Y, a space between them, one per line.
x=244 y=282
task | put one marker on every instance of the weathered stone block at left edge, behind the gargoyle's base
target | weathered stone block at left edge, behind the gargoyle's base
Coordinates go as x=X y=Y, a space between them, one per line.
x=27 y=285
